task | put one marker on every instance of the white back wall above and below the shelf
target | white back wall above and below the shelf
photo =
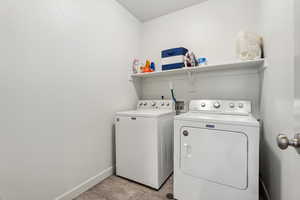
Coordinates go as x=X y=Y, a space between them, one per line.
x=209 y=29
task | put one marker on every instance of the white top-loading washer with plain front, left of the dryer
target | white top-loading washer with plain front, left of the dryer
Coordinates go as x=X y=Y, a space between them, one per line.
x=144 y=142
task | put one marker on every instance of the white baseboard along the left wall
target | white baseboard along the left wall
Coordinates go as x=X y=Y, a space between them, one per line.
x=86 y=185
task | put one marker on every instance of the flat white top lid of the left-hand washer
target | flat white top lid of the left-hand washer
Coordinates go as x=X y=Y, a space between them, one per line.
x=145 y=113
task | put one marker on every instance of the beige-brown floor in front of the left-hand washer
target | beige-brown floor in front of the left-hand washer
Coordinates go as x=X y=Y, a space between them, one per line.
x=116 y=188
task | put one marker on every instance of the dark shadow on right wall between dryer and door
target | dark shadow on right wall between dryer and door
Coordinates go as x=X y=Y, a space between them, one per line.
x=270 y=167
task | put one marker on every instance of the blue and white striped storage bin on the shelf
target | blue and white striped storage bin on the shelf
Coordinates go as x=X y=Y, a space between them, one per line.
x=173 y=58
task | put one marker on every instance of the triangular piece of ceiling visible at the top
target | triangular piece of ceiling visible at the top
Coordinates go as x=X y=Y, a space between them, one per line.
x=146 y=10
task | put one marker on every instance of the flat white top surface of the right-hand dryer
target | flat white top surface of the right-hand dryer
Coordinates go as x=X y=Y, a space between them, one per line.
x=248 y=120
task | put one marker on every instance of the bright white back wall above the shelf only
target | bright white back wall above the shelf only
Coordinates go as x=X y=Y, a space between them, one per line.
x=209 y=29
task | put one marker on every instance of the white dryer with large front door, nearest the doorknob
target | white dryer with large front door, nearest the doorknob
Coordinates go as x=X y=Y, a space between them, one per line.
x=216 y=152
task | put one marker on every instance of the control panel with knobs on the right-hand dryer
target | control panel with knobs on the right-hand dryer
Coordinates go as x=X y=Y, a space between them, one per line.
x=221 y=106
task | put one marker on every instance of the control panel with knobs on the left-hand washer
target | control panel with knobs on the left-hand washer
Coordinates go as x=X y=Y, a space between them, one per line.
x=156 y=104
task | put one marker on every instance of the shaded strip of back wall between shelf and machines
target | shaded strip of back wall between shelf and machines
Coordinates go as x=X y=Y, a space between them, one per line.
x=242 y=84
